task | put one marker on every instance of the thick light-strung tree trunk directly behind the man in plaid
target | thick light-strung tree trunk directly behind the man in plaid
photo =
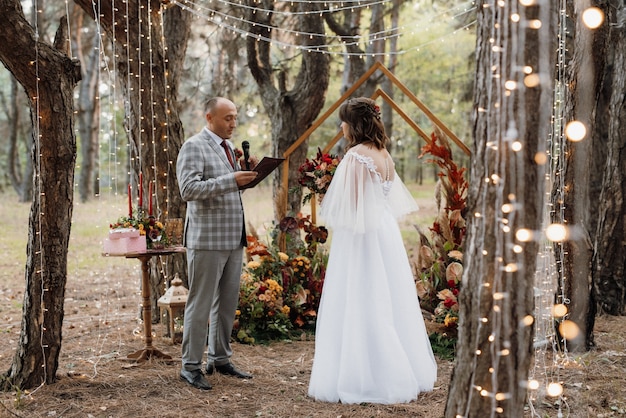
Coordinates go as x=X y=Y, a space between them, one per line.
x=152 y=120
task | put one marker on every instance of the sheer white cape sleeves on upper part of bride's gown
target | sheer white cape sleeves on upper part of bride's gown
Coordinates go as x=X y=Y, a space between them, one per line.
x=355 y=199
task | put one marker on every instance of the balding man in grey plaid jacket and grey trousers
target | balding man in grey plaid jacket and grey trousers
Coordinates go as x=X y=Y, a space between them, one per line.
x=215 y=236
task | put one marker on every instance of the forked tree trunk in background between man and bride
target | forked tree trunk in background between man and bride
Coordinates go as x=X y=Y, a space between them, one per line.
x=293 y=110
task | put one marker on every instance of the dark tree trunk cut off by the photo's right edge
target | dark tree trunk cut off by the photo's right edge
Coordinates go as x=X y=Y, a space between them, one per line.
x=610 y=252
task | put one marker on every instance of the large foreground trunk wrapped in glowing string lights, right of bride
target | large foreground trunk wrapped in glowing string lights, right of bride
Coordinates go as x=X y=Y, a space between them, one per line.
x=494 y=348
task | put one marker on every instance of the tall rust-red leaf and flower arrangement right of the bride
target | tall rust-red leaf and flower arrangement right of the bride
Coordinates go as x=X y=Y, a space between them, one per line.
x=439 y=265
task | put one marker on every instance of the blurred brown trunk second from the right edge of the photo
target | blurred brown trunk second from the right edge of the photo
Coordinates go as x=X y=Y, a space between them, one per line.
x=585 y=100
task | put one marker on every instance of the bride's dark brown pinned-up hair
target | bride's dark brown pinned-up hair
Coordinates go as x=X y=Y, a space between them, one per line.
x=362 y=115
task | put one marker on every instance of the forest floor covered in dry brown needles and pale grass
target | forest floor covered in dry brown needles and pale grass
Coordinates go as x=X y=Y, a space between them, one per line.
x=101 y=328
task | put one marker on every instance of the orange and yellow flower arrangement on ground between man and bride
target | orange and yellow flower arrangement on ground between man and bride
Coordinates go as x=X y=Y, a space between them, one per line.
x=280 y=291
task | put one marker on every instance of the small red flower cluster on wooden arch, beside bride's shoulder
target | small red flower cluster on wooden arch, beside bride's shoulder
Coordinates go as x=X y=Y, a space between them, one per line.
x=315 y=174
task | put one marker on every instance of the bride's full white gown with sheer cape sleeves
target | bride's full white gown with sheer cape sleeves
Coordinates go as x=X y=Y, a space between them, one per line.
x=371 y=344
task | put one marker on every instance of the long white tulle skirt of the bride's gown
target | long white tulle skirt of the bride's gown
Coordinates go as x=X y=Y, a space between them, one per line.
x=371 y=343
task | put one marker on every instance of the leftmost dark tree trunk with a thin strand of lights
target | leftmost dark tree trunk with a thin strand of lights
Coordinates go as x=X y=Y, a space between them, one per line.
x=49 y=85
